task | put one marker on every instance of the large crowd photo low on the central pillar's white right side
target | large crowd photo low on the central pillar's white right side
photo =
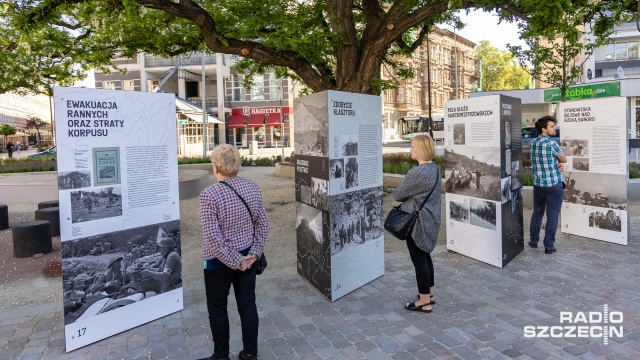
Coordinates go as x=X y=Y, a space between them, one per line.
x=356 y=217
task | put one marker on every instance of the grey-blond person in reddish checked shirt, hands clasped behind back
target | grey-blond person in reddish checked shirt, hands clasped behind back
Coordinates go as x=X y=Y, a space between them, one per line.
x=233 y=238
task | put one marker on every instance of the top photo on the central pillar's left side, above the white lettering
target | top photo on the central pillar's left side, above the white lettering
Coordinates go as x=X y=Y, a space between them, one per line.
x=312 y=127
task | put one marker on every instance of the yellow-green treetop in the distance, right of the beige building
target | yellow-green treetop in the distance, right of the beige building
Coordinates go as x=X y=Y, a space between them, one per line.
x=500 y=70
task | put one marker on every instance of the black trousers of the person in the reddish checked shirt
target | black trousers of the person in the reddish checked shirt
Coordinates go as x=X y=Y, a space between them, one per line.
x=217 y=285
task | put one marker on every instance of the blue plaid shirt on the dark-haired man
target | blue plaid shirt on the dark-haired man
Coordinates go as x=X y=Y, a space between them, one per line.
x=546 y=172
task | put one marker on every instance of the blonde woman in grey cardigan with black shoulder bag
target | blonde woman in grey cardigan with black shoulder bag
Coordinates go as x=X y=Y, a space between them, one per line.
x=419 y=182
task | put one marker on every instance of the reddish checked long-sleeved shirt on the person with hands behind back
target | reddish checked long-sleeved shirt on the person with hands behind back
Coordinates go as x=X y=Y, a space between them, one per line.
x=226 y=225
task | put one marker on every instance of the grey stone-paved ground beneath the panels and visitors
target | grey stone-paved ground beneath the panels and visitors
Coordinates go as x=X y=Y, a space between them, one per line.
x=480 y=313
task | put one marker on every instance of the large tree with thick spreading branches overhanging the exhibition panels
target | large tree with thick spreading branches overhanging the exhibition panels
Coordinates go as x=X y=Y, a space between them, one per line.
x=328 y=44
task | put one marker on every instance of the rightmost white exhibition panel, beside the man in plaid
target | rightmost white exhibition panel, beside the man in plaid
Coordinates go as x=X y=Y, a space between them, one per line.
x=593 y=137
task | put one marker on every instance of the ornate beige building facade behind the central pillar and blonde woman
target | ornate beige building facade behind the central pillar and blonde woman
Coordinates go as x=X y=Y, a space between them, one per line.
x=454 y=75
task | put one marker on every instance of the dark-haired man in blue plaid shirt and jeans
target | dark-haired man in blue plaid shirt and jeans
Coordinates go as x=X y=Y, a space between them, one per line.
x=548 y=190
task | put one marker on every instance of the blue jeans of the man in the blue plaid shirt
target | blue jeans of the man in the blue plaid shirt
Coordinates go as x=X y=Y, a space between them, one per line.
x=551 y=199
